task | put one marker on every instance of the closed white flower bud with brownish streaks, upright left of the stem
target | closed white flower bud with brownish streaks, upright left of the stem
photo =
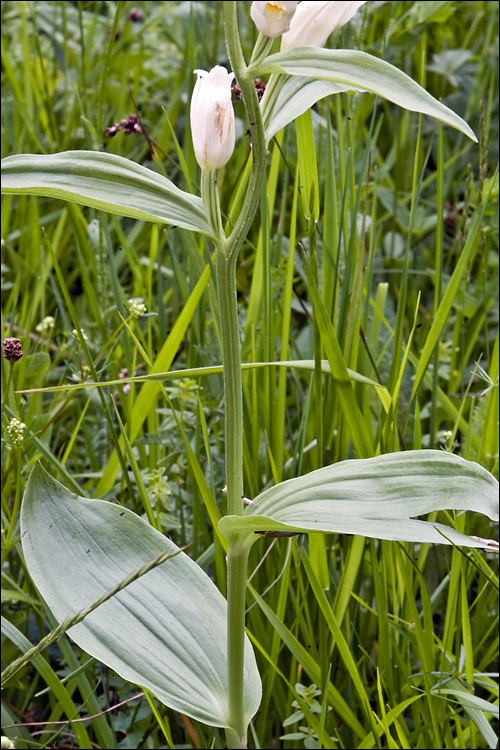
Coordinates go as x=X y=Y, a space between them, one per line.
x=212 y=118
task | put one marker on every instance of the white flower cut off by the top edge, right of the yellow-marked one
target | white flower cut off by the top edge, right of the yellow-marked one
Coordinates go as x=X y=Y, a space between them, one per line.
x=315 y=20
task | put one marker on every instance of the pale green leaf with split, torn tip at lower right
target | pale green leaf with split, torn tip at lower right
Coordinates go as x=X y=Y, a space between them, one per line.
x=376 y=497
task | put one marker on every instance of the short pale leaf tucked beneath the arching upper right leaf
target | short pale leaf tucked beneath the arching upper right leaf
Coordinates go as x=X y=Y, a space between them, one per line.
x=294 y=97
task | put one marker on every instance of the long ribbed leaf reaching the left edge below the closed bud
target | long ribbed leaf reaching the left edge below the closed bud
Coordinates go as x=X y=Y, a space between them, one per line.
x=107 y=182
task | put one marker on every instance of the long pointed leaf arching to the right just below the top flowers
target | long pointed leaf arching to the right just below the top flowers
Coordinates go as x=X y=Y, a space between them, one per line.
x=358 y=70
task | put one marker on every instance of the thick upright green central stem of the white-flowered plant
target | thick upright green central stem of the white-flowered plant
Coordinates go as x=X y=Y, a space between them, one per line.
x=226 y=259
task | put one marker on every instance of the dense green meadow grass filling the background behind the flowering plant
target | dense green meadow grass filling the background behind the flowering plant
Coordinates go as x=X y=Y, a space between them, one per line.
x=401 y=271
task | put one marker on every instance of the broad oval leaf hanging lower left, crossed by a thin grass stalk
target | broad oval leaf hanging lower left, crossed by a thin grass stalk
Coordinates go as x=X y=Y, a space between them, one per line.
x=165 y=632
